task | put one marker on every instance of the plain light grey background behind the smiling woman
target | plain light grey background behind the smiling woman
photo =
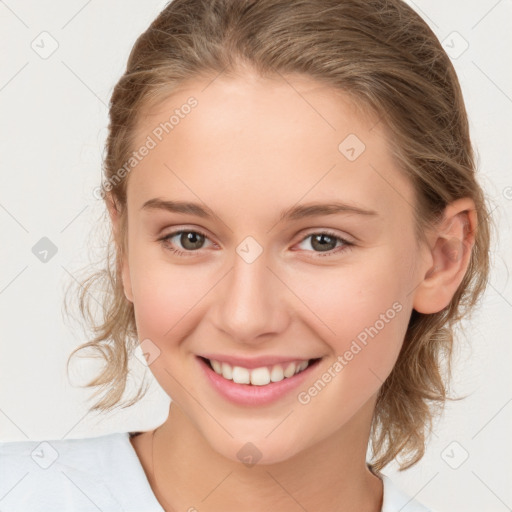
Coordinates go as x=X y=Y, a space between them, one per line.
x=53 y=127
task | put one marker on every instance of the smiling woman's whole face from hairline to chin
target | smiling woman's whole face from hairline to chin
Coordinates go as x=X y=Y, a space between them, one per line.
x=262 y=273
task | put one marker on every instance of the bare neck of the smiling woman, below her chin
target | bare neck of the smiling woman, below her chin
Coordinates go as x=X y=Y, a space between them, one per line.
x=329 y=476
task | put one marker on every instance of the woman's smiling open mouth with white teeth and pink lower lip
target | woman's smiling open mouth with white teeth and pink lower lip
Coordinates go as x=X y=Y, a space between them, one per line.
x=256 y=385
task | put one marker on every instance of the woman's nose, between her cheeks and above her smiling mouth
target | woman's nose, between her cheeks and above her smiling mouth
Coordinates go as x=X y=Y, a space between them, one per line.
x=251 y=303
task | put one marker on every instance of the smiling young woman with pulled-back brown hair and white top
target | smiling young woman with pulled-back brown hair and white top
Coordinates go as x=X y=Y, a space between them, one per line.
x=297 y=226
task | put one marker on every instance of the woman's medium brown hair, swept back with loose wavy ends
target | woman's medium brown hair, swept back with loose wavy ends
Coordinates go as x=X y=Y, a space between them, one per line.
x=388 y=60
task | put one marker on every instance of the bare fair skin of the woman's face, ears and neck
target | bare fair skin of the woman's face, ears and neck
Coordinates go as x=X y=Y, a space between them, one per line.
x=251 y=148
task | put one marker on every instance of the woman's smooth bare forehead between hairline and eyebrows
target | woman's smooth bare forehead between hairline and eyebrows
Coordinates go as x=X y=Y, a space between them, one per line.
x=265 y=144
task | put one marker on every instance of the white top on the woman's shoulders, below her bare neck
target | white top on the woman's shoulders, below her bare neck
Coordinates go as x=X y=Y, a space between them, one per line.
x=101 y=473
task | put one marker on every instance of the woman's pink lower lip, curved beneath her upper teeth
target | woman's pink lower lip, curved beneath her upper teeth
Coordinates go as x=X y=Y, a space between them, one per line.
x=247 y=394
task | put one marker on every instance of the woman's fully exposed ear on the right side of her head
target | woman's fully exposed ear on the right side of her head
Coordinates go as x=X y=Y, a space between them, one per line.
x=450 y=251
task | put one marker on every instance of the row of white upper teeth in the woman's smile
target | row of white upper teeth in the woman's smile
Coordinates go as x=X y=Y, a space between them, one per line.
x=258 y=376
